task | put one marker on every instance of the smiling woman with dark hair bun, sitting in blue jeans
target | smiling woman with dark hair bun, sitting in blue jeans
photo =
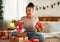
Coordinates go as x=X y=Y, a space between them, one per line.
x=29 y=23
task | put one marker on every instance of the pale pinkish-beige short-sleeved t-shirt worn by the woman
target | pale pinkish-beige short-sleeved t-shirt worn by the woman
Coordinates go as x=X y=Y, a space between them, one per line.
x=29 y=24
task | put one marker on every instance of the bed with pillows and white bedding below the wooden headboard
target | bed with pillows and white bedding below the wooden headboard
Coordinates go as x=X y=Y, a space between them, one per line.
x=51 y=31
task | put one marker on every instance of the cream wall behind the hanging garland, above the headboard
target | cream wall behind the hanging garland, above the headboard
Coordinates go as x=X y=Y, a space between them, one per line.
x=49 y=11
